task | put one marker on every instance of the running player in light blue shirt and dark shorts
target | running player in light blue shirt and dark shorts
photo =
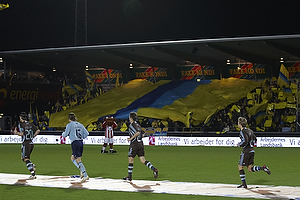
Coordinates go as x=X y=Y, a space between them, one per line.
x=76 y=132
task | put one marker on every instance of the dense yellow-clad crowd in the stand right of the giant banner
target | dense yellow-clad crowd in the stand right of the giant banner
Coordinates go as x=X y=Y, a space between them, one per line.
x=276 y=110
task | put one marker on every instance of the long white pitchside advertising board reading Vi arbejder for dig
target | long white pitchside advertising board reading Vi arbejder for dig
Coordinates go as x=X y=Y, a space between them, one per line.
x=163 y=140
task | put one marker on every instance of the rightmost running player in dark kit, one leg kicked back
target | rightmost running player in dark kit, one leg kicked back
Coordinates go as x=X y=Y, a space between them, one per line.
x=248 y=140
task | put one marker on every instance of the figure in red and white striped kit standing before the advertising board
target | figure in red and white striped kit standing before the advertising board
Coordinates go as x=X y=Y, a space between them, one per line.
x=109 y=124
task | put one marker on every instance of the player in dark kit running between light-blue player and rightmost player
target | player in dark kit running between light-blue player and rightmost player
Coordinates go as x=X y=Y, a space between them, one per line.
x=136 y=147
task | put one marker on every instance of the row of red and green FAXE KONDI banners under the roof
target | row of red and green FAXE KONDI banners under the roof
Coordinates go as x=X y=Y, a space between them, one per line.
x=204 y=72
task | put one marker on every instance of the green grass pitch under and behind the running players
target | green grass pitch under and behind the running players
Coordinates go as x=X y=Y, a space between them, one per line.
x=180 y=164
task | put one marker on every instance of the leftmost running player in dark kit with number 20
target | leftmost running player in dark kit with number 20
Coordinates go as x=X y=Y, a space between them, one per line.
x=27 y=131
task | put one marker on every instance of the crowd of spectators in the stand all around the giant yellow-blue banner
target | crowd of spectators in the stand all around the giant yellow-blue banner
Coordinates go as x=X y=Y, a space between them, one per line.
x=267 y=108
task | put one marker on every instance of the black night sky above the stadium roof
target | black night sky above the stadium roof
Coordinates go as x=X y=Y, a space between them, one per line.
x=45 y=23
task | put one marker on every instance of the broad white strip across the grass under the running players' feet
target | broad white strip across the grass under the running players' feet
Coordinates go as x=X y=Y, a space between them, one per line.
x=185 y=188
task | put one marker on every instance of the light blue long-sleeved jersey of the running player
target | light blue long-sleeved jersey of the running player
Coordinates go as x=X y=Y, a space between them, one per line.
x=75 y=131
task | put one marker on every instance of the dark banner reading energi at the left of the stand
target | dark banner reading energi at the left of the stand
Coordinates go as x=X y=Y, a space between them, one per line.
x=17 y=97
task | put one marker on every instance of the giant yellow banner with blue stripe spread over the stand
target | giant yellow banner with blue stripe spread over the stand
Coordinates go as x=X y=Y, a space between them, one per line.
x=189 y=102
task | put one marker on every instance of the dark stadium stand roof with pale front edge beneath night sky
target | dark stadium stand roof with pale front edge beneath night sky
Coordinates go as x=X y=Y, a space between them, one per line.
x=167 y=54
